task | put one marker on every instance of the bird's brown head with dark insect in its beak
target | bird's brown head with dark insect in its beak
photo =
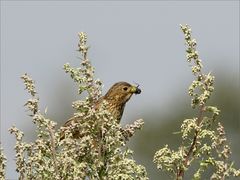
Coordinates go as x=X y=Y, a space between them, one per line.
x=121 y=92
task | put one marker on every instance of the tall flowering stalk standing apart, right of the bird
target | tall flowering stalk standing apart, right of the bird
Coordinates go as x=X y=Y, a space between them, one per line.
x=203 y=137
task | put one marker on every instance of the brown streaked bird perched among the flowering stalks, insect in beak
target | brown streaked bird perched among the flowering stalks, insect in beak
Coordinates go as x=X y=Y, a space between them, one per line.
x=116 y=97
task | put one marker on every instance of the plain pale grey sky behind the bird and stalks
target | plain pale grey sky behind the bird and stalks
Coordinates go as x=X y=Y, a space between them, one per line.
x=130 y=41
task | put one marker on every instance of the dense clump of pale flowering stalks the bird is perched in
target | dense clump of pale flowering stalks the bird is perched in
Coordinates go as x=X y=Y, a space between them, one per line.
x=100 y=153
